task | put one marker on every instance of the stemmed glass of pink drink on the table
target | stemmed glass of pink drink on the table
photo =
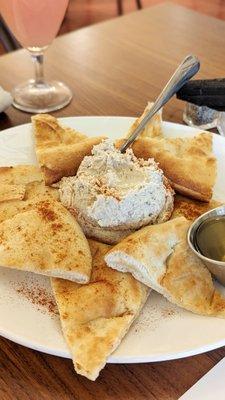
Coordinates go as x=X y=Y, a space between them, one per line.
x=35 y=24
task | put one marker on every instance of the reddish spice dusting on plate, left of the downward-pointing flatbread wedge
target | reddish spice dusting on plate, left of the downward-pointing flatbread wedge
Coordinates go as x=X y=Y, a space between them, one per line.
x=38 y=296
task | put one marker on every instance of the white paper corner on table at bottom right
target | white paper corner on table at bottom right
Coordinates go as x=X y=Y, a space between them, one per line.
x=210 y=387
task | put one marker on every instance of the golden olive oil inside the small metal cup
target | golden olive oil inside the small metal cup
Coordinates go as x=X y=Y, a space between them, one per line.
x=210 y=238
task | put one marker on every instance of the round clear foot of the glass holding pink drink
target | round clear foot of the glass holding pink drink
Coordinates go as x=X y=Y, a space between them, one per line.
x=42 y=97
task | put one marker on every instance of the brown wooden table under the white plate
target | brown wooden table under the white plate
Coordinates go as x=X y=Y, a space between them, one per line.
x=113 y=69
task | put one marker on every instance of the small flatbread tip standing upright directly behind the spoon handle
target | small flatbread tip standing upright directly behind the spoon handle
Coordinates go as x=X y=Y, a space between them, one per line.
x=154 y=126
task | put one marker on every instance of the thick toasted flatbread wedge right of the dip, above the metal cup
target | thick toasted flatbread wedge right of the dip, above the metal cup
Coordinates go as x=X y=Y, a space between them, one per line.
x=188 y=163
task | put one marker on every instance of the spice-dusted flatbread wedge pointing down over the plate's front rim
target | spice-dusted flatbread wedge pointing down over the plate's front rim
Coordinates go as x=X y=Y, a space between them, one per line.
x=95 y=317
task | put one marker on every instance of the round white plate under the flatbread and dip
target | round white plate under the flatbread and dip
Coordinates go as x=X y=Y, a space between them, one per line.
x=162 y=331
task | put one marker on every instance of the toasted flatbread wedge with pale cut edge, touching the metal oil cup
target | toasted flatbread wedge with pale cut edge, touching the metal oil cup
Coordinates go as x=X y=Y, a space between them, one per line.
x=159 y=256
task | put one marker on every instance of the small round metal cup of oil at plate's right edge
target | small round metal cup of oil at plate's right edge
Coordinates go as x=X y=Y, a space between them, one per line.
x=206 y=238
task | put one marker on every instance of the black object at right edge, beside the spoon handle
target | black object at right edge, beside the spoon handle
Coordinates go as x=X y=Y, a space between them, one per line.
x=204 y=92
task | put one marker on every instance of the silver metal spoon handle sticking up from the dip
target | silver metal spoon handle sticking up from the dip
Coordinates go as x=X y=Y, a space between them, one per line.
x=185 y=71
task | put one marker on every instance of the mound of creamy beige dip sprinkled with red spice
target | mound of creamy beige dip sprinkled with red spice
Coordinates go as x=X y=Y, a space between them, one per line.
x=116 y=190
